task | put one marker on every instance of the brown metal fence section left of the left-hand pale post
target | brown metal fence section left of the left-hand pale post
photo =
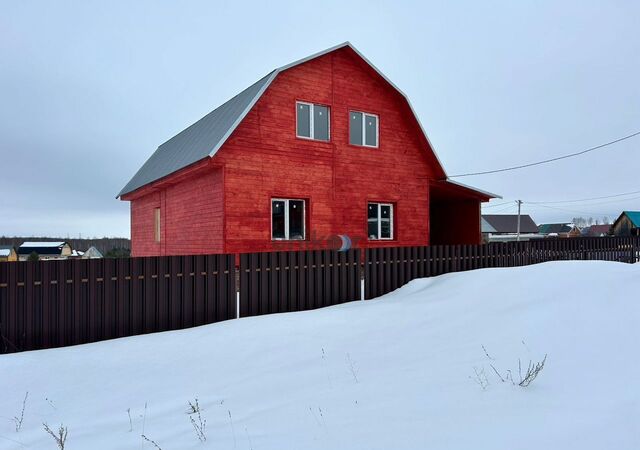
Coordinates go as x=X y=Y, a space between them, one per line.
x=48 y=304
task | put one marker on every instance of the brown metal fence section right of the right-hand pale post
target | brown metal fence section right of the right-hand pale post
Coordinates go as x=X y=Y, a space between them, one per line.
x=387 y=269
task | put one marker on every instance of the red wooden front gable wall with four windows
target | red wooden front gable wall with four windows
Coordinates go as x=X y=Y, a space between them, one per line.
x=264 y=159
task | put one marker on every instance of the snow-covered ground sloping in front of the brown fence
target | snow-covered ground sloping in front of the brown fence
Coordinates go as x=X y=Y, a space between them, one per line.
x=397 y=372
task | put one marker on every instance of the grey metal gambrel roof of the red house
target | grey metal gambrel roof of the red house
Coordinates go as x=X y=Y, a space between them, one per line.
x=205 y=137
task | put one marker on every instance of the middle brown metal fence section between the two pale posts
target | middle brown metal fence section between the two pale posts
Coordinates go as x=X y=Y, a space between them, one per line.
x=296 y=281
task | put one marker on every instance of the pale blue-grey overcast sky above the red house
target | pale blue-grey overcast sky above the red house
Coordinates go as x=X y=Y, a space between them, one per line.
x=88 y=90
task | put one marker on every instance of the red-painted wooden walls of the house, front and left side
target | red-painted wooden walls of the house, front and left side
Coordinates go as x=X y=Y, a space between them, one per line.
x=228 y=209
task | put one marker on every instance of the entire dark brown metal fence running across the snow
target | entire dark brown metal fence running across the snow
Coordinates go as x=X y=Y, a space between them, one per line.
x=49 y=304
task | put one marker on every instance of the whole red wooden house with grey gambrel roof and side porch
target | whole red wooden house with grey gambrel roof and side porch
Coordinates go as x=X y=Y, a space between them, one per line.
x=324 y=146
